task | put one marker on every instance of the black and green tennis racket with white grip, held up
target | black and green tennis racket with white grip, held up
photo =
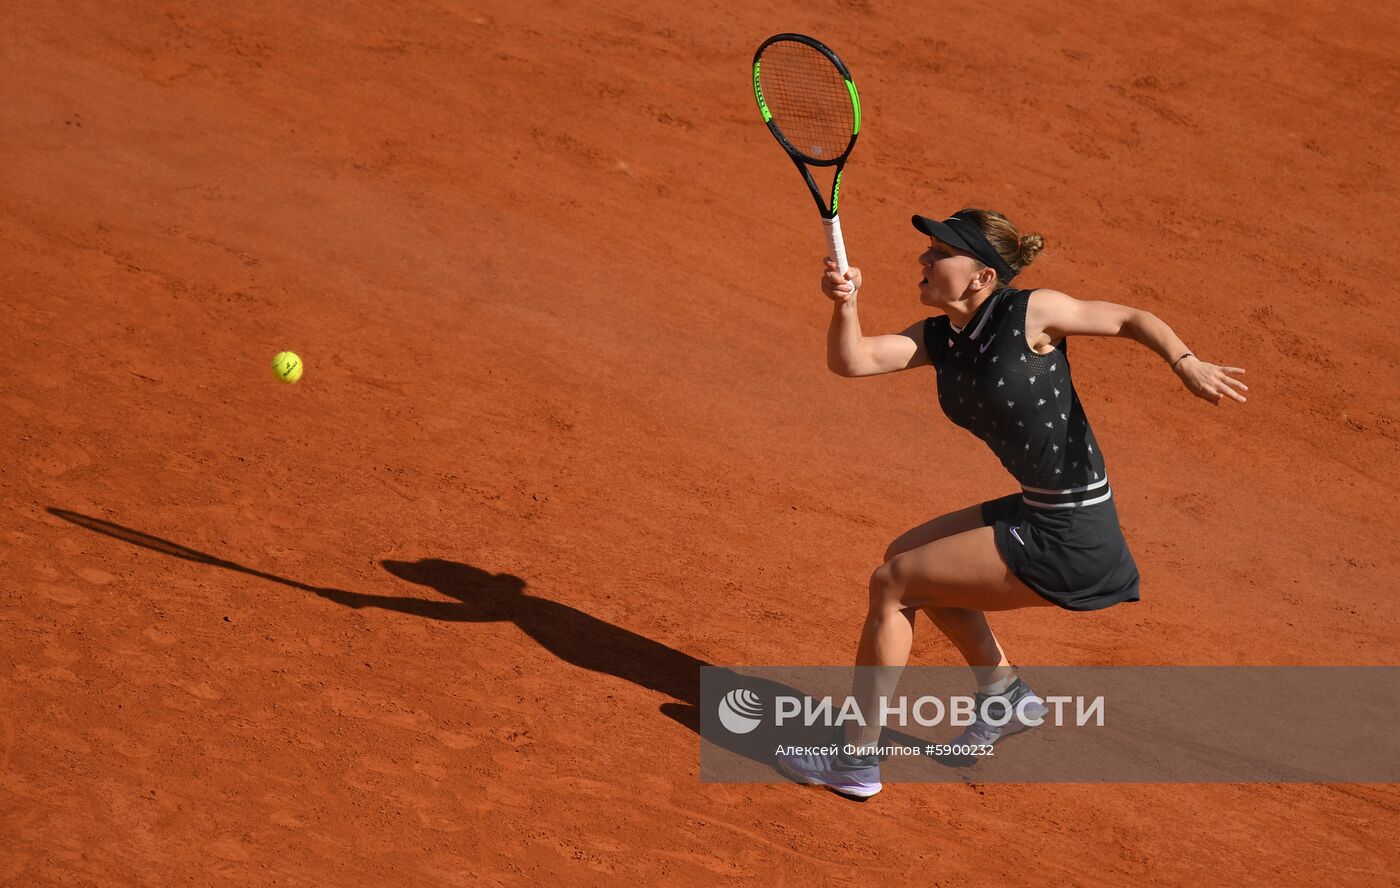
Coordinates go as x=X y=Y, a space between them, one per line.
x=810 y=103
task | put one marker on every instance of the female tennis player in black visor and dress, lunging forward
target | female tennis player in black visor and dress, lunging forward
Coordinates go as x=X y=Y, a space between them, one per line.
x=1003 y=366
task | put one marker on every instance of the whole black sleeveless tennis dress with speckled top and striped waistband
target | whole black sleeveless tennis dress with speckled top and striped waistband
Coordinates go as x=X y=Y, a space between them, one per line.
x=1060 y=534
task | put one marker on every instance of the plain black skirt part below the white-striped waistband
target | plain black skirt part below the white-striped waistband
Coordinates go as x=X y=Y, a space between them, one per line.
x=1076 y=558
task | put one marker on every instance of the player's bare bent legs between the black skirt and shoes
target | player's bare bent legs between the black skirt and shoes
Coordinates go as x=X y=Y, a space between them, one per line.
x=962 y=572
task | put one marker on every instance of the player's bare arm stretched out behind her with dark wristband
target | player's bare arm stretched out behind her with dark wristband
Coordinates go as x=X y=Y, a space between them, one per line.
x=1062 y=316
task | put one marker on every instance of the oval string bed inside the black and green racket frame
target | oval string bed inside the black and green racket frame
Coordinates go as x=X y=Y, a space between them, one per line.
x=808 y=99
